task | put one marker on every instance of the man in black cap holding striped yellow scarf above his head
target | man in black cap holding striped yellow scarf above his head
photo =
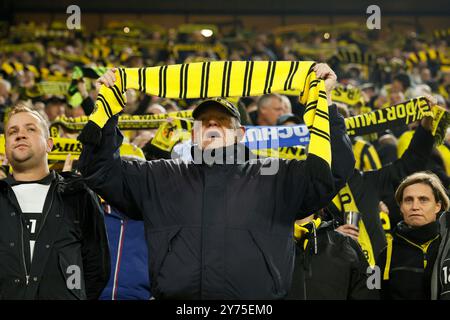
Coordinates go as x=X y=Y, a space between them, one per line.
x=219 y=227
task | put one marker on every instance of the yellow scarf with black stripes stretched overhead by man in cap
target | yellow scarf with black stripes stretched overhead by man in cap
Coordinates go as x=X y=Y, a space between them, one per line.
x=220 y=79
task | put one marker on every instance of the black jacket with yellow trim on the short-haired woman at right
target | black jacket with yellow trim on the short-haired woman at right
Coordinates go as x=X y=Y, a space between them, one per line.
x=414 y=252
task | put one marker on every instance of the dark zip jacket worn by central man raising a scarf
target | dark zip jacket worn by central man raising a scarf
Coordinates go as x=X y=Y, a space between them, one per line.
x=217 y=231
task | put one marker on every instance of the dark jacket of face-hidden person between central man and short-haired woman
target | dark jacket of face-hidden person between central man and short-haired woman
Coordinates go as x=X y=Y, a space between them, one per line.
x=332 y=266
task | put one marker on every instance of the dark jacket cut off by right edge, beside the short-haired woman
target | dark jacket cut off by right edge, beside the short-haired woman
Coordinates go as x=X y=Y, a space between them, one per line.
x=440 y=280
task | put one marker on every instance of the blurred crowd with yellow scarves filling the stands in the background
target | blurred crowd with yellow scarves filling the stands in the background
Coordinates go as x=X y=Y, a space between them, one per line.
x=378 y=67
